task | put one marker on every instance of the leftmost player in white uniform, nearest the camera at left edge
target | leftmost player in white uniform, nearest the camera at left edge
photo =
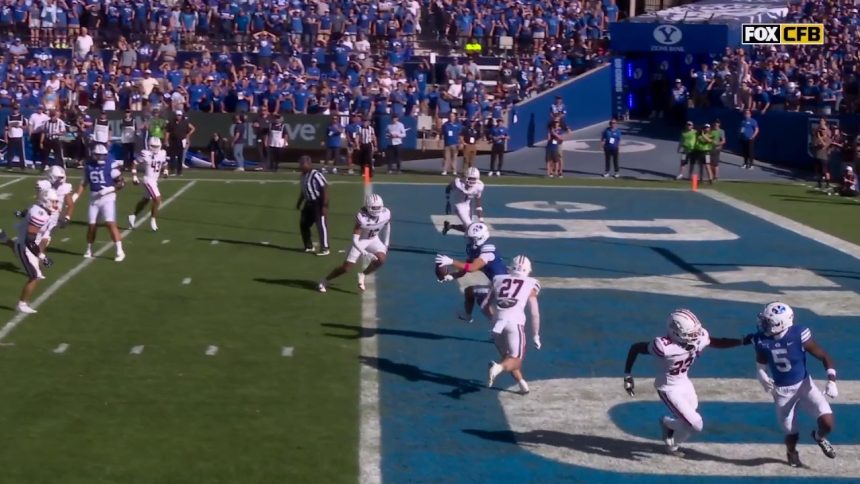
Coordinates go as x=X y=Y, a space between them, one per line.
x=31 y=229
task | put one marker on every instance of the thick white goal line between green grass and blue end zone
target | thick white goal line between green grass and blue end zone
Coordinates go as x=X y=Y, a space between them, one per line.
x=370 y=432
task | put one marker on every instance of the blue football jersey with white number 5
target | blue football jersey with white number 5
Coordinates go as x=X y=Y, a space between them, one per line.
x=786 y=356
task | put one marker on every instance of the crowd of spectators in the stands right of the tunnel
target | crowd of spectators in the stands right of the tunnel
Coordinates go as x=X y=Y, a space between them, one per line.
x=821 y=79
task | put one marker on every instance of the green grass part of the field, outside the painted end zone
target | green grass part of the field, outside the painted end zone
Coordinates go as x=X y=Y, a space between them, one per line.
x=98 y=414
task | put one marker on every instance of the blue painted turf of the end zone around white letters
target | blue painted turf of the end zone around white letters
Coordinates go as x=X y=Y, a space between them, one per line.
x=440 y=423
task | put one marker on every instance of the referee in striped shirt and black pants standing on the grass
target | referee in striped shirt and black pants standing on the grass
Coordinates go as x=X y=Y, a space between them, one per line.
x=315 y=196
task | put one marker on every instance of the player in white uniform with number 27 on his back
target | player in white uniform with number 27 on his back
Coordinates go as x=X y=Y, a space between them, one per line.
x=509 y=295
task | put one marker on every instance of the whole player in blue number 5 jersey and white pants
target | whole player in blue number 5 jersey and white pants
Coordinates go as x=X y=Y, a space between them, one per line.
x=781 y=347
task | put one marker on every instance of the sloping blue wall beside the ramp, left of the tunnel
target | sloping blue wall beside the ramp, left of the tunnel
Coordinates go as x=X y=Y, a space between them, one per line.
x=588 y=99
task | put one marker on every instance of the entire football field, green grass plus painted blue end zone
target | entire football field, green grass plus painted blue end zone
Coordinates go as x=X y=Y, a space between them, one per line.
x=208 y=355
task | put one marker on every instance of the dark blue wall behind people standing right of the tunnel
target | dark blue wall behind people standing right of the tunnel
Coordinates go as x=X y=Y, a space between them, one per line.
x=784 y=137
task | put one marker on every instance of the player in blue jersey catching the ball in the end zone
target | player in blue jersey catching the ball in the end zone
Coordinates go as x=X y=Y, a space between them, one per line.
x=480 y=256
